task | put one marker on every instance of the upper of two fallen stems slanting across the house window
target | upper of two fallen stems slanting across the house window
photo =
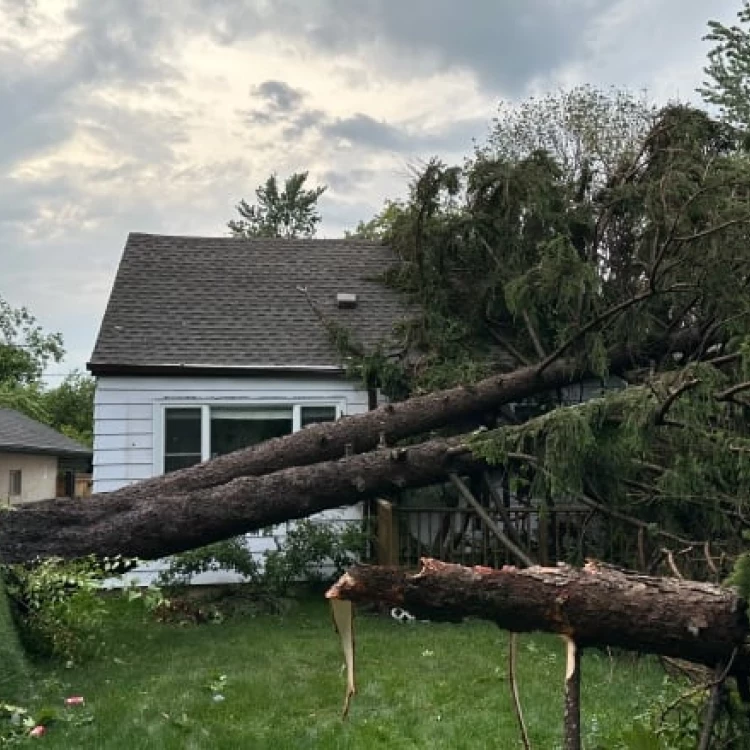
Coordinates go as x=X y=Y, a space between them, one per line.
x=393 y=422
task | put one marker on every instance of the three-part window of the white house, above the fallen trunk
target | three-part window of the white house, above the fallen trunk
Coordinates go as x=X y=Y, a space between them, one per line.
x=196 y=433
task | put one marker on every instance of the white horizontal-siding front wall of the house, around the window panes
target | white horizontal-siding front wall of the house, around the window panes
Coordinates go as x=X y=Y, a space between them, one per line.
x=129 y=423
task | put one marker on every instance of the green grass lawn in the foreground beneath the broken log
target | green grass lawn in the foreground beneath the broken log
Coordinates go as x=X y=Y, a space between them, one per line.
x=420 y=686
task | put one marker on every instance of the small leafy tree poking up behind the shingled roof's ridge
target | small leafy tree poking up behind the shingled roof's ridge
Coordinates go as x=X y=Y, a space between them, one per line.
x=289 y=213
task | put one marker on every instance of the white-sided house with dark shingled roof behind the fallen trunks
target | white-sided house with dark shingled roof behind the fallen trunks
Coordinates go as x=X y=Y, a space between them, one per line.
x=212 y=344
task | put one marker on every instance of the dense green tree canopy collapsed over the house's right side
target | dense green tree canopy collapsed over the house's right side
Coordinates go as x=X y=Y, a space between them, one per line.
x=587 y=222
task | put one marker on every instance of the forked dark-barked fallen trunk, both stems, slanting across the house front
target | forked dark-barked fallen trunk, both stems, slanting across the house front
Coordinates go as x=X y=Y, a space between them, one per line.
x=281 y=479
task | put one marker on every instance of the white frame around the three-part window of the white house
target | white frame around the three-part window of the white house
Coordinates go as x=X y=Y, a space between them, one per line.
x=205 y=406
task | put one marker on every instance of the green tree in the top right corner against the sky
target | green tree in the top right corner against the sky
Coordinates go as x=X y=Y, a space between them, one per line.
x=728 y=69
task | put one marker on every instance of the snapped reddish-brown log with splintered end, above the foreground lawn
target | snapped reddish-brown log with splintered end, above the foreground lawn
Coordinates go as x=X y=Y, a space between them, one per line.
x=595 y=606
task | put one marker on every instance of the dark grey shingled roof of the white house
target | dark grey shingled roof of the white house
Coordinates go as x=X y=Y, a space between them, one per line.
x=198 y=303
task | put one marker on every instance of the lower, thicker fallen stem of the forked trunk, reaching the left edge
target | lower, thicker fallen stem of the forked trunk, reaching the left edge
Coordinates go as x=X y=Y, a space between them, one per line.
x=163 y=524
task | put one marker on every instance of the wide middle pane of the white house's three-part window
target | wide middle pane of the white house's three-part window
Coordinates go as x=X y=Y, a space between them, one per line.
x=235 y=428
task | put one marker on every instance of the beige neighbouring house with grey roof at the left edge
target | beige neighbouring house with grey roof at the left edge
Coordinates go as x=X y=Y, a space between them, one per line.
x=31 y=456
